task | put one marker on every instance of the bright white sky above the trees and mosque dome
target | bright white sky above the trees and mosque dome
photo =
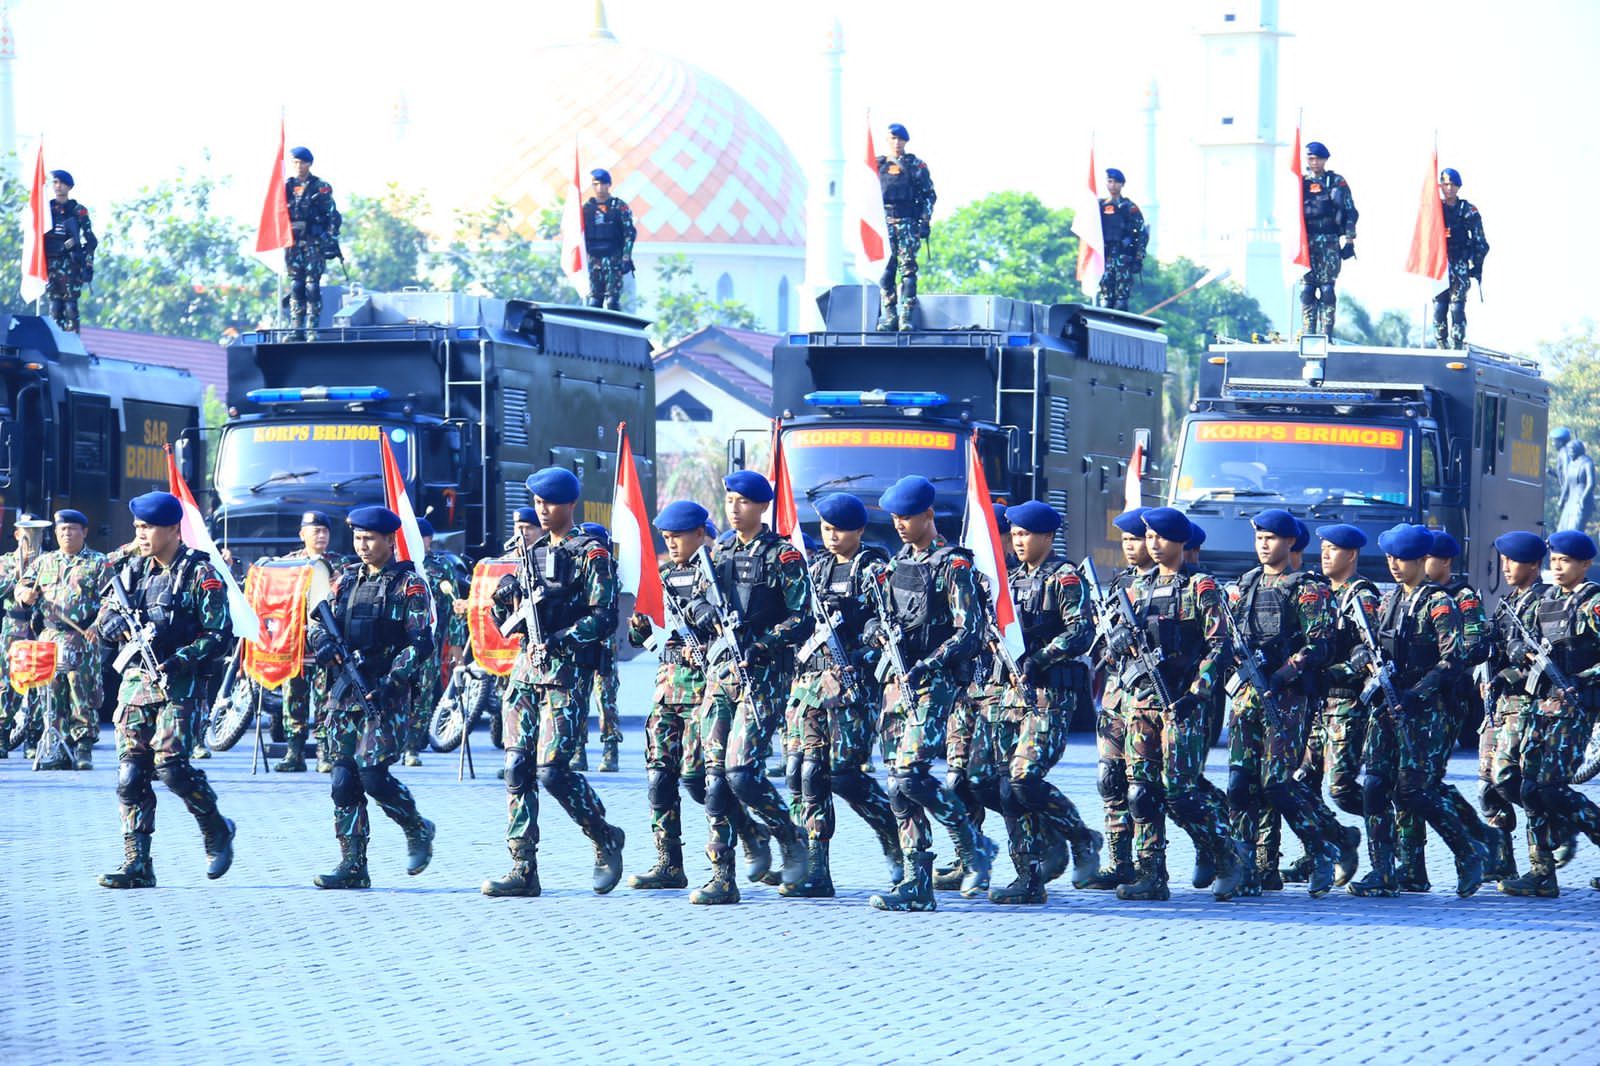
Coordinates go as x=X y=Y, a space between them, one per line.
x=1002 y=95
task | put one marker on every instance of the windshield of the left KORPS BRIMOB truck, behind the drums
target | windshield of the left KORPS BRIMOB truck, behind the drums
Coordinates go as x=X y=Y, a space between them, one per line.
x=260 y=457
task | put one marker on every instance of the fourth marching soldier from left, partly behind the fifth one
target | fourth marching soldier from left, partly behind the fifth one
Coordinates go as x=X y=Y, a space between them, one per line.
x=673 y=750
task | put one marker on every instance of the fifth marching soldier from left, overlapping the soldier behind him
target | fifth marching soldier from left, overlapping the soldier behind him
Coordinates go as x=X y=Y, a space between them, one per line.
x=761 y=580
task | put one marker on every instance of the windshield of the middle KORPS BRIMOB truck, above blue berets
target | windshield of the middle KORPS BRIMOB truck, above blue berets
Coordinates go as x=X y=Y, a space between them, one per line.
x=866 y=460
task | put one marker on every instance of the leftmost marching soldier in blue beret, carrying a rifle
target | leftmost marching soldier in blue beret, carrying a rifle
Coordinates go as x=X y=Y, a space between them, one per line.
x=177 y=591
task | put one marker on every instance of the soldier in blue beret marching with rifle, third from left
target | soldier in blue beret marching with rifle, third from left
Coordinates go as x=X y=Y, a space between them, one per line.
x=566 y=598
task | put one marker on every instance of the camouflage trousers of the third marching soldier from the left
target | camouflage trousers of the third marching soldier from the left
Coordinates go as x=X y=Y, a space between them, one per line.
x=542 y=726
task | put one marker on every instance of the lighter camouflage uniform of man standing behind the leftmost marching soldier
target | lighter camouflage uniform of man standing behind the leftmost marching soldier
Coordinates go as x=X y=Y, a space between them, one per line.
x=70 y=598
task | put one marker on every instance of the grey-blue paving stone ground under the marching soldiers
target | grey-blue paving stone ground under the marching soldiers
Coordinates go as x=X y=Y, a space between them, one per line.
x=265 y=968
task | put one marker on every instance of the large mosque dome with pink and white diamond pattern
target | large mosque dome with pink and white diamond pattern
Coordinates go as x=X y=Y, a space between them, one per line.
x=694 y=159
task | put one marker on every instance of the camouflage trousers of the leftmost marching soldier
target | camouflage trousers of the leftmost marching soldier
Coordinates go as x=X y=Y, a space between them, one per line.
x=154 y=742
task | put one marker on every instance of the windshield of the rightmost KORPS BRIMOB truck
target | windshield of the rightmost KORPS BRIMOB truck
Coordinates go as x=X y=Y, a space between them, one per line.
x=1300 y=463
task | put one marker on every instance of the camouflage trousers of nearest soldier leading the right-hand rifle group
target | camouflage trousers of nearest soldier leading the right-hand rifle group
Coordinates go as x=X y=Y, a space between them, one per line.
x=1166 y=758
